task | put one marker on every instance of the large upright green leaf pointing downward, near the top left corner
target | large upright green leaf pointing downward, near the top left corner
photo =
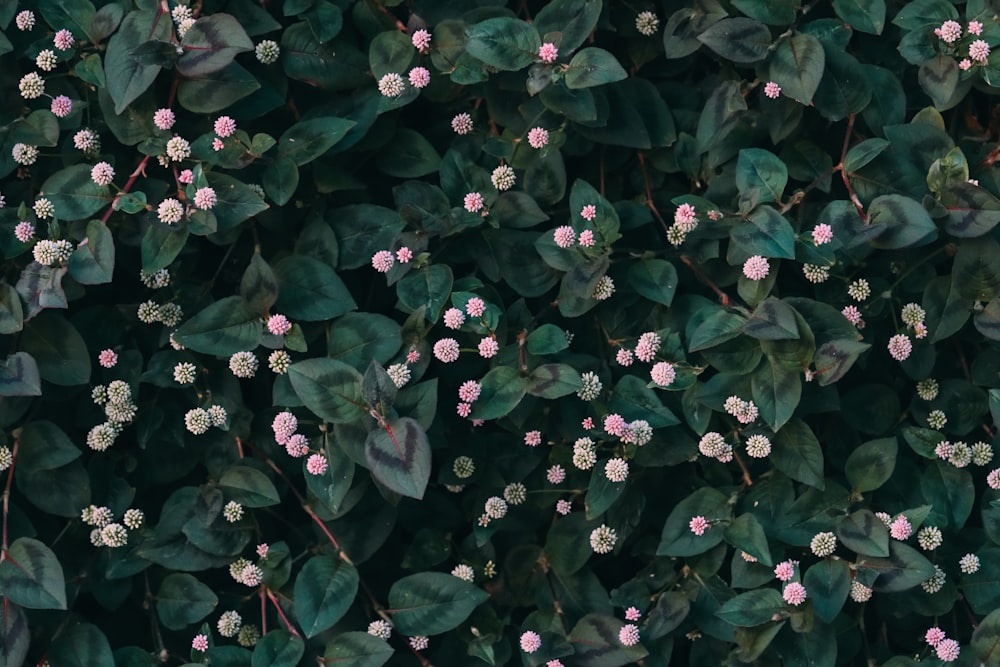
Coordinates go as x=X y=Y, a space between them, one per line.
x=128 y=79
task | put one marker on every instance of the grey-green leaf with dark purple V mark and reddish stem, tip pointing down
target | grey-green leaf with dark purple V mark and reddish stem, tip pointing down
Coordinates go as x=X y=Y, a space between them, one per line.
x=399 y=456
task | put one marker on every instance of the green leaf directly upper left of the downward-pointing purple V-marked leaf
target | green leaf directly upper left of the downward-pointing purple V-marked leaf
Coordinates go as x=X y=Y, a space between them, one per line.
x=329 y=388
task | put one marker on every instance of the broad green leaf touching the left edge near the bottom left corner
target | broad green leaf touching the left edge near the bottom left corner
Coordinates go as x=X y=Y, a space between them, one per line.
x=31 y=575
